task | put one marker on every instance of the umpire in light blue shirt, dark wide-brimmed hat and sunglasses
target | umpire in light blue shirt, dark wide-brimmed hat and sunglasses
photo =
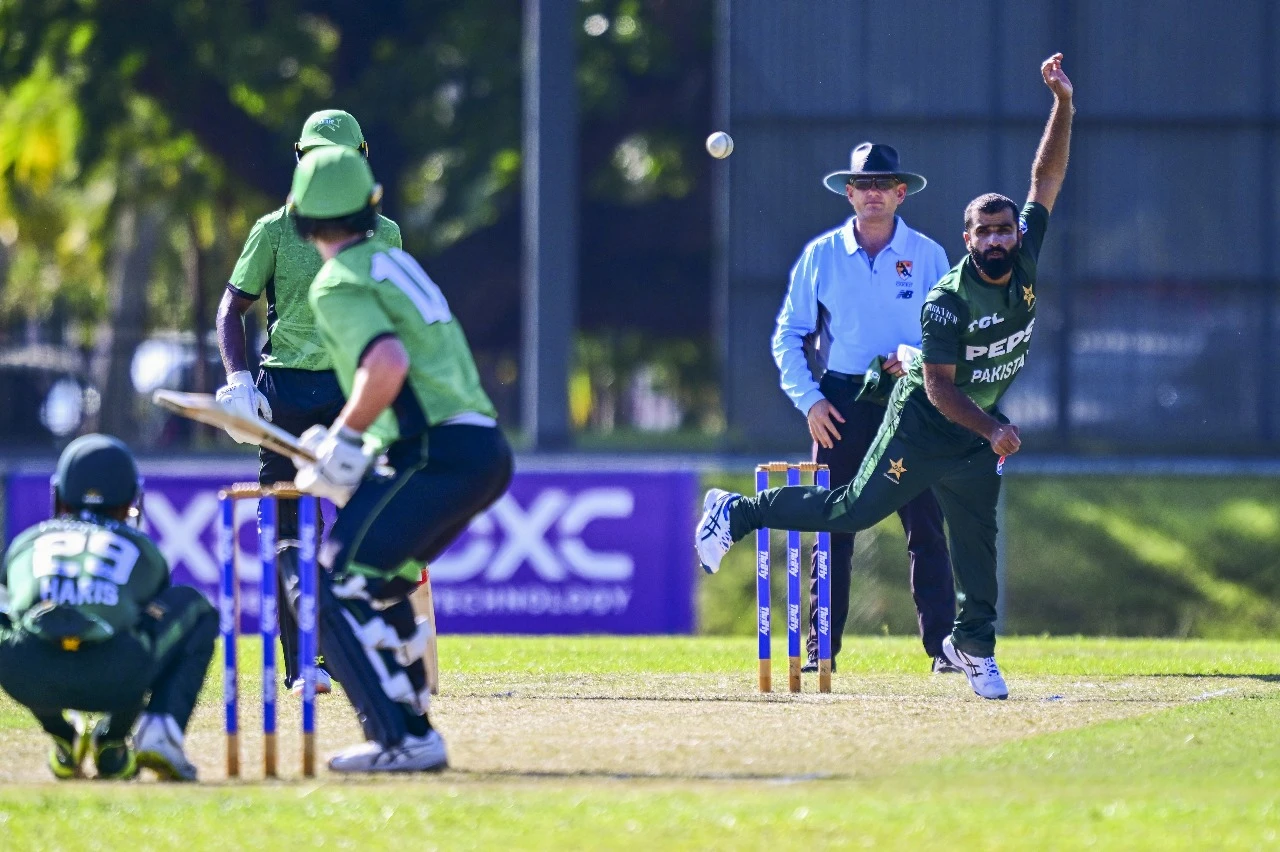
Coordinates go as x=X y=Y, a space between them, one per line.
x=857 y=292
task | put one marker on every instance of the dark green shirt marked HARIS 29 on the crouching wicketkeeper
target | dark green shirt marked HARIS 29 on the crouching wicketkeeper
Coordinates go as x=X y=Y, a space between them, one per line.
x=86 y=579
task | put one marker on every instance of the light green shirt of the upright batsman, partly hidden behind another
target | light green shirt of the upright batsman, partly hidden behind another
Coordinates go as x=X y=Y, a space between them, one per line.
x=280 y=263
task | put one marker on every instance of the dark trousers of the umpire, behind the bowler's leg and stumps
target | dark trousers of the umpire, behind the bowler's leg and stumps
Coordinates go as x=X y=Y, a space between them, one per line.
x=932 y=584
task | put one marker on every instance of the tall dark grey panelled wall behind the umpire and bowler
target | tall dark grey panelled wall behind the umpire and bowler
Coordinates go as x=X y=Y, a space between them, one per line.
x=1160 y=273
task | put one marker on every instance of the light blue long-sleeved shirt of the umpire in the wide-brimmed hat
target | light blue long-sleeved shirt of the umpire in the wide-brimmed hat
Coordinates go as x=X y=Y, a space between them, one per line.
x=862 y=309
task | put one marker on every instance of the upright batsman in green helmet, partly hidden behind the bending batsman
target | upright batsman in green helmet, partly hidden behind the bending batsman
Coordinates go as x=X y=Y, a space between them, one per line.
x=296 y=388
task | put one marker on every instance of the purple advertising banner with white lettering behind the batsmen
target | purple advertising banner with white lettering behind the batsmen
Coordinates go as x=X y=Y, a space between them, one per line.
x=565 y=552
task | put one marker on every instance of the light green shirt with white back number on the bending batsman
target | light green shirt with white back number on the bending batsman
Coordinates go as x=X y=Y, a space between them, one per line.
x=372 y=291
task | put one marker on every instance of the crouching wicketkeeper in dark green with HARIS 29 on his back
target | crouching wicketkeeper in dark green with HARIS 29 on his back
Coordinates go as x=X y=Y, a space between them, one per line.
x=89 y=622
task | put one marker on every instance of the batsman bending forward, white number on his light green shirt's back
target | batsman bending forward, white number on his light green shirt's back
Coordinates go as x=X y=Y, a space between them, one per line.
x=413 y=393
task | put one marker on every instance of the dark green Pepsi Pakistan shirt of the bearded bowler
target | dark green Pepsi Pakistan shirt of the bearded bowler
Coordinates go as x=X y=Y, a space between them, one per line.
x=984 y=329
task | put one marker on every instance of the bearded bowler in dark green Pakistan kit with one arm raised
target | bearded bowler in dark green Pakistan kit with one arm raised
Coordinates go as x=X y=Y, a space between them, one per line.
x=944 y=428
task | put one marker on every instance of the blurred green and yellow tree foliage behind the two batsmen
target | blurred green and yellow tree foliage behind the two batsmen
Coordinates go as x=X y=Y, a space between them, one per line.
x=186 y=112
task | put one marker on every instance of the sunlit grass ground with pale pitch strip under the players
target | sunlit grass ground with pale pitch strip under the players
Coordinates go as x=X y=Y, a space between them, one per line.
x=664 y=744
